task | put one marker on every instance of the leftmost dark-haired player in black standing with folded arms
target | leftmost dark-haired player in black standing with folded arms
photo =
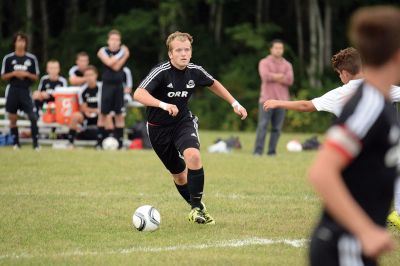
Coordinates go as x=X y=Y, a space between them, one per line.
x=20 y=69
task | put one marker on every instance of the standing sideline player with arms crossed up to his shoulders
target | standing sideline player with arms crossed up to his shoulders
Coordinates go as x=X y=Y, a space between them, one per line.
x=113 y=57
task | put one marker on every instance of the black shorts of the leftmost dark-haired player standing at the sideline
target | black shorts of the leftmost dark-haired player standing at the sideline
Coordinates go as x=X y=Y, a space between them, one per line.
x=19 y=99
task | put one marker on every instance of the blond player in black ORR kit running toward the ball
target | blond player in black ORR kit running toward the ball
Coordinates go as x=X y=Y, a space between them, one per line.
x=172 y=128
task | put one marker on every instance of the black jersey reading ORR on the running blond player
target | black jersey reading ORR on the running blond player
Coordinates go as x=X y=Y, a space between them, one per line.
x=173 y=86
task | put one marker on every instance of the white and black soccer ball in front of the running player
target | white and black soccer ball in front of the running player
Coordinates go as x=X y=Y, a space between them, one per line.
x=146 y=218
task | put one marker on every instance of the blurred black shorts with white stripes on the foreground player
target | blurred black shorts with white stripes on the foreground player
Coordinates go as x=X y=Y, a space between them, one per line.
x=331 y=246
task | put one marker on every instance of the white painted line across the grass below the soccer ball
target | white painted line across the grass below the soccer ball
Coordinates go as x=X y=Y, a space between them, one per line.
x=235 y=243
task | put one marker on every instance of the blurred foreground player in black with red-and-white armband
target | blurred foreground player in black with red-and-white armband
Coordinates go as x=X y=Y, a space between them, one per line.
x=355 y=170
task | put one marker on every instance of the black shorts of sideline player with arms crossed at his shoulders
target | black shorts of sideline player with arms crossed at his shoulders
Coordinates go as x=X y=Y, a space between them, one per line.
x=112 y=97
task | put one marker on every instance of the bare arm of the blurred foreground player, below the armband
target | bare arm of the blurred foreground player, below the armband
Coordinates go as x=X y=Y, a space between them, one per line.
x=325 y=177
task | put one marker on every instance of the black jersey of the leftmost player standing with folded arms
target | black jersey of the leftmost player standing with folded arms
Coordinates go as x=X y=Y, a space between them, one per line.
x=12 y=62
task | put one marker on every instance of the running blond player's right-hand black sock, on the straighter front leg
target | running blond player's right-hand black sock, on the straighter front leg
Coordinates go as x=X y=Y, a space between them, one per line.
x=196 y=185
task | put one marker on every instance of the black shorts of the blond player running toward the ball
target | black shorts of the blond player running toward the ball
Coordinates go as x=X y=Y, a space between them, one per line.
x=169 y=142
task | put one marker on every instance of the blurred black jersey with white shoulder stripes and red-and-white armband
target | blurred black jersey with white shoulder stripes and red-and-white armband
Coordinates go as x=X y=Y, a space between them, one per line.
x=367 y=133
